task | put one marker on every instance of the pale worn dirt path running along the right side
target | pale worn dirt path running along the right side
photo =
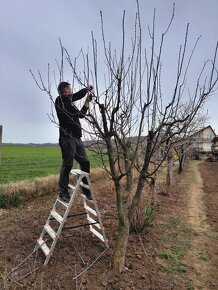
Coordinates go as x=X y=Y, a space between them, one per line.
x=203 y=274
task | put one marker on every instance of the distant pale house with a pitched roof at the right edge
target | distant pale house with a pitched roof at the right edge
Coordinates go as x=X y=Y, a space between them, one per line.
x=203 y=139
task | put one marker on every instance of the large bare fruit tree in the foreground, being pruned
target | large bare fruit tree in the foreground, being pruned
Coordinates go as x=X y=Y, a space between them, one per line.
x=131 y=121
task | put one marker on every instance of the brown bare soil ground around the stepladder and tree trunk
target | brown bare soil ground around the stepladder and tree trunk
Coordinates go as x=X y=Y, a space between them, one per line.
x=178 y=251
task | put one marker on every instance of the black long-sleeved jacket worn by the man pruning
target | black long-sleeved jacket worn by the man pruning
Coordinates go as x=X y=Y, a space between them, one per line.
x=68 y=114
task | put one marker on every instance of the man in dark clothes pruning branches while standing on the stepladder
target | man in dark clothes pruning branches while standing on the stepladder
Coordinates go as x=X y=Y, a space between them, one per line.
x=70 y=135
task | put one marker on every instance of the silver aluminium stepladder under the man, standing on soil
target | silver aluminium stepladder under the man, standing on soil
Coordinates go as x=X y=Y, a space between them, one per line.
x=92 y=213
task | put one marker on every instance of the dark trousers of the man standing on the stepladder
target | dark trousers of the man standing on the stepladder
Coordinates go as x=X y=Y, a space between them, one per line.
x=72 y=148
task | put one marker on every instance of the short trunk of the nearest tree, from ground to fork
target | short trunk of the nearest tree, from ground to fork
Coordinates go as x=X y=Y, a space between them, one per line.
x=121 y=245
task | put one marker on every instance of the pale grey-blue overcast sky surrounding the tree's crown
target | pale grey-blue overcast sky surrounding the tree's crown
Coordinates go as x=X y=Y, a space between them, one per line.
x=29 y=40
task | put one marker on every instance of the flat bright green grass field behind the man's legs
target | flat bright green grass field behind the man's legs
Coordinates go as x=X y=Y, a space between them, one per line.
x=26 y=162
